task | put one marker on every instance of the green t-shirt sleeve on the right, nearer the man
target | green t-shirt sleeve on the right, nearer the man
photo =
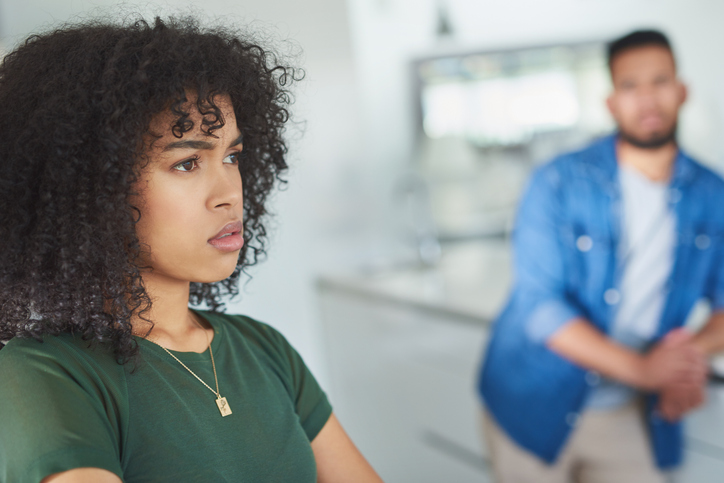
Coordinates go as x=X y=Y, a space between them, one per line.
x=312 y=405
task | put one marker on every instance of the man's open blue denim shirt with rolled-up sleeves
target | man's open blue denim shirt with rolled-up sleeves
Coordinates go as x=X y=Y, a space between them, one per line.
x=534 y=394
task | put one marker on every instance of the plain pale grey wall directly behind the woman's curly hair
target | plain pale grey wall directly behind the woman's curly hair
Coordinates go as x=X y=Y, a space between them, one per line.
x=320 y=204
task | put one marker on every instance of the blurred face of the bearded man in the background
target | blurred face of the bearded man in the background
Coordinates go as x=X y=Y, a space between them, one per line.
x=646 y=95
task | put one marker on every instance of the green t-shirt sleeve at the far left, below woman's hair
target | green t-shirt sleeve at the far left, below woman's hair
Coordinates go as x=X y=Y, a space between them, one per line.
x=53 y=416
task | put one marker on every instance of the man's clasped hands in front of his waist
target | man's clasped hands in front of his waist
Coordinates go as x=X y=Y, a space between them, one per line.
x=675 y=364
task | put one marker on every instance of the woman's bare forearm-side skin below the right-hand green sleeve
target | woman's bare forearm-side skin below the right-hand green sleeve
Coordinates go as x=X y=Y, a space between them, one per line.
x=338 y=459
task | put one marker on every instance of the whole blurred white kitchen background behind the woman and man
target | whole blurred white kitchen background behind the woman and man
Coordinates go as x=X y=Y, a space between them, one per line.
x=415 y=129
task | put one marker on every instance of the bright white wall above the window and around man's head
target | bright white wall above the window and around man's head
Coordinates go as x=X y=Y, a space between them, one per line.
x=387 y=33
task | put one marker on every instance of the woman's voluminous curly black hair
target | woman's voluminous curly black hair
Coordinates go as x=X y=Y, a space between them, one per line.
x=75 y=104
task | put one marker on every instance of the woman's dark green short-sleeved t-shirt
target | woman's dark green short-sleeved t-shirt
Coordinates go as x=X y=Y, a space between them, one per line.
x=64 y=406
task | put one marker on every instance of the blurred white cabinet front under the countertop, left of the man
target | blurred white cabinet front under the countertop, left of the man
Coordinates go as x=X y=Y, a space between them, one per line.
x=403 y=385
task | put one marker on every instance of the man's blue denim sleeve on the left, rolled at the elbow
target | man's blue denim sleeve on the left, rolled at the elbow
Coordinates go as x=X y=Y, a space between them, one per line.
x=539 y=259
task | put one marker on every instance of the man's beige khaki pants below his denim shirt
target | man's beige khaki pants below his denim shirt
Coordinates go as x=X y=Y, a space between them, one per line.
x=606 y=447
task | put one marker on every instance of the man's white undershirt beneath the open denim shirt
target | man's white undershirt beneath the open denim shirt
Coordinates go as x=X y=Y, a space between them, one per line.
x=646 y=258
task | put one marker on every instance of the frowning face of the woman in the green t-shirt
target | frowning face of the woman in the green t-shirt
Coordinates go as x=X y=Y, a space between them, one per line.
x=190 y=193
